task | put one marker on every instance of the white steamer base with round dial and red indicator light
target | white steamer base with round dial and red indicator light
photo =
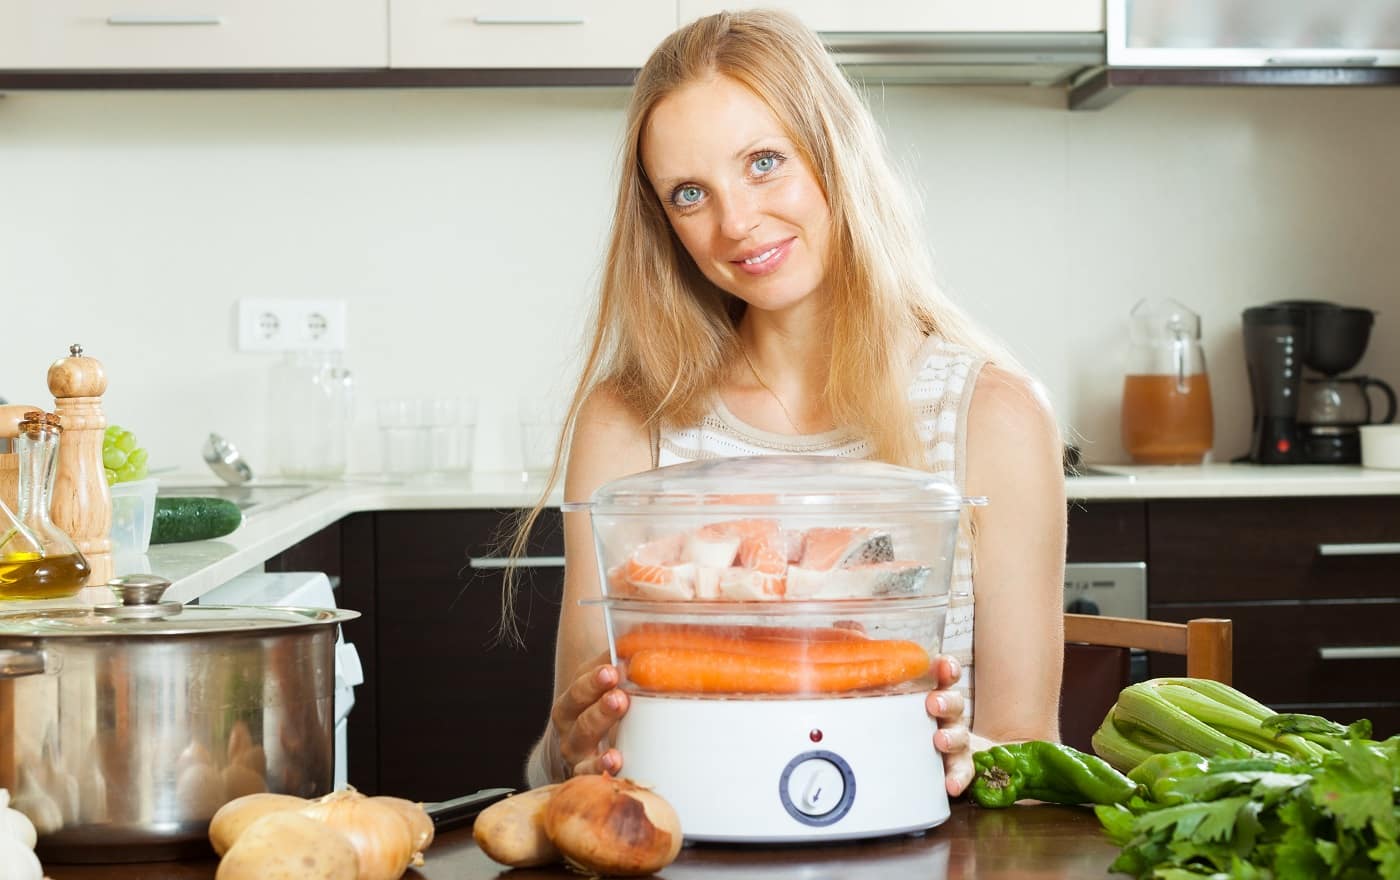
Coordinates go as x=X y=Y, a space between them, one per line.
x=772 y=772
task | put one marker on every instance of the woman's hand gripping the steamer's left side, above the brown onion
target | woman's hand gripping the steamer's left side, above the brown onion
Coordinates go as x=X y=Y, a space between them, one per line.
x=584 y=717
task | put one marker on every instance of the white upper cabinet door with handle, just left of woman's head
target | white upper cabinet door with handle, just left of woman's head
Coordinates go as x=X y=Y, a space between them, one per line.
x=527 y=33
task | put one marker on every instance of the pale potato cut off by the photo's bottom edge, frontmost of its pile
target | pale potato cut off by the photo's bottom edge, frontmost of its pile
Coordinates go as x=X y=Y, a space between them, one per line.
x=289 y=847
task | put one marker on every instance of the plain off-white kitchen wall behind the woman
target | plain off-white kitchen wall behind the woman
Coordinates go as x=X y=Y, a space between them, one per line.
x=464 y=230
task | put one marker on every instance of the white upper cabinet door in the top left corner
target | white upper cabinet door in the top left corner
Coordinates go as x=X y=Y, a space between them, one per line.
x=190 y=34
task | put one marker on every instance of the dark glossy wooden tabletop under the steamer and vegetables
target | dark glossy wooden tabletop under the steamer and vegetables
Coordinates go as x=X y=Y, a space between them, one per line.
x=1025 y=842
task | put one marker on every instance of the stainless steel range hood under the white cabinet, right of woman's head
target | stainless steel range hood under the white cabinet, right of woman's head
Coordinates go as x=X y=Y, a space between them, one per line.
x=967 y=59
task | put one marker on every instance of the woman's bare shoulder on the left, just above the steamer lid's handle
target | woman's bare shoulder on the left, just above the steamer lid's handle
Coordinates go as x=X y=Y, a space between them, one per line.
x=611 y=440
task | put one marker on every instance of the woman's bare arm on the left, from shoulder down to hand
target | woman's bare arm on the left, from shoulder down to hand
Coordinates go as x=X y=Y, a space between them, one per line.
x=610 y=443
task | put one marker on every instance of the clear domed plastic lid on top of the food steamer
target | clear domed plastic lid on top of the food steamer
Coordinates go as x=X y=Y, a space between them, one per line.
x=769 y=483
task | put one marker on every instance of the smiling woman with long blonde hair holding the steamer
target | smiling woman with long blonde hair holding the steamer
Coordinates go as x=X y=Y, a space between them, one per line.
x=766 y=290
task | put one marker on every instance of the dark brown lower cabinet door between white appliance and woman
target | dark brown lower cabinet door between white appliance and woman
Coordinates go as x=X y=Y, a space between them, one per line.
x=458 y=707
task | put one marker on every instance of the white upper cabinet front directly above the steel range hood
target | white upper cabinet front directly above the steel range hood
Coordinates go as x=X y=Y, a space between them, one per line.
x=926 y=16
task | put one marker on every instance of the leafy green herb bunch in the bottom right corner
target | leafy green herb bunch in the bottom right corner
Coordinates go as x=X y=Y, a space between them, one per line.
x=1270 y=819
